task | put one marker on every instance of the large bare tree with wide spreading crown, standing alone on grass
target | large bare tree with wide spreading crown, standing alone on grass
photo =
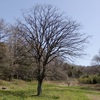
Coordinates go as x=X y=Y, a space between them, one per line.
x=47 y=35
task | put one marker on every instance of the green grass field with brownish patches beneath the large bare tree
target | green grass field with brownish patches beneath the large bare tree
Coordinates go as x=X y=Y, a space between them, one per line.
x=20 y=90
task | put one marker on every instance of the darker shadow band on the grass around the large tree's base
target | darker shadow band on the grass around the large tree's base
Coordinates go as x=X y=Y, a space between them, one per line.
x=27 y=94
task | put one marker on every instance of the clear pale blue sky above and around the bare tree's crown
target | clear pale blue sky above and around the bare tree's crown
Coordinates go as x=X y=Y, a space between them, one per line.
x=86 y=12
